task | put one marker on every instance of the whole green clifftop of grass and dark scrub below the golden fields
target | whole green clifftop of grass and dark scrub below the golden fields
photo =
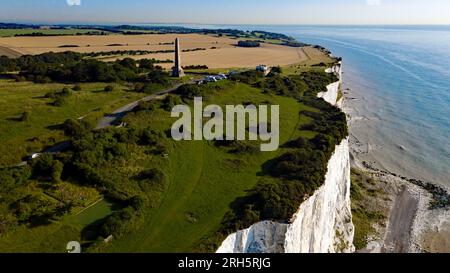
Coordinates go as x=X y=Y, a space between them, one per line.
x=149 y=192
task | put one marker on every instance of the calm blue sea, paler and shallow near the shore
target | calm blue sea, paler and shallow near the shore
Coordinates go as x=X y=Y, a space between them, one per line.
x=397 y=87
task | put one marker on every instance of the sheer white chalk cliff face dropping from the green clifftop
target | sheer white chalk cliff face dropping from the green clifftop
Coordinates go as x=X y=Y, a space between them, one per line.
x=322 y=224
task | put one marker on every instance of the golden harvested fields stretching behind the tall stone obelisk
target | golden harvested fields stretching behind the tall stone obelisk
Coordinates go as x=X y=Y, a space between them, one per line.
x=219 y=52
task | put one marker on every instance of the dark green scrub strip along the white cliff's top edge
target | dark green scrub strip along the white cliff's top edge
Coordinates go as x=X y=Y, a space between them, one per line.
x=295 y=175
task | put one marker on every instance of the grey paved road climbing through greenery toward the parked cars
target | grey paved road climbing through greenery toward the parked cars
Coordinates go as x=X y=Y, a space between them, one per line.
x=115 y=117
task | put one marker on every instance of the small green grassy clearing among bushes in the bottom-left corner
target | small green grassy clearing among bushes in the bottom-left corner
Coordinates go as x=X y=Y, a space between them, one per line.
x=53 y=236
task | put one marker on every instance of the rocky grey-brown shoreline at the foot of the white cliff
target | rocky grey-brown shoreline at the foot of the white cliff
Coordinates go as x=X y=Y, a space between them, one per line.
x=419 y=211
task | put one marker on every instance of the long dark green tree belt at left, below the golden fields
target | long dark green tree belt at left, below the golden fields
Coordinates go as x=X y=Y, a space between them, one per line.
x=73 y=67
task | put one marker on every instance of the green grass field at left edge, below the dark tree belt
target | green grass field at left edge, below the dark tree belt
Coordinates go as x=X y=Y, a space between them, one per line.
x=22 y=137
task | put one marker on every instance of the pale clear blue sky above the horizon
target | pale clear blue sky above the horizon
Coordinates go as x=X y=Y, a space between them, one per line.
x=228 y=11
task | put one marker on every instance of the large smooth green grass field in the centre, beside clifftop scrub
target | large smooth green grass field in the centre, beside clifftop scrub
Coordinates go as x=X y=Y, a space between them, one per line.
x=204 y=179
